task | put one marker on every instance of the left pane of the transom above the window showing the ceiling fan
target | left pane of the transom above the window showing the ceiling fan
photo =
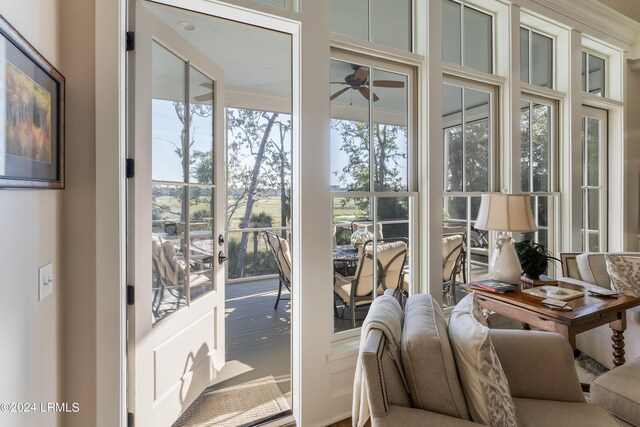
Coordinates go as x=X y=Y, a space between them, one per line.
x=350 y=18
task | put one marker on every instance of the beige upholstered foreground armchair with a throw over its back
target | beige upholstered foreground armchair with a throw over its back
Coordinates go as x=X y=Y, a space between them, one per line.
x=426 y=389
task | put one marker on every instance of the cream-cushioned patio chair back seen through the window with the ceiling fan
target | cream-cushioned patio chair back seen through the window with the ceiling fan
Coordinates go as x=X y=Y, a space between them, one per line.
x=390 y=260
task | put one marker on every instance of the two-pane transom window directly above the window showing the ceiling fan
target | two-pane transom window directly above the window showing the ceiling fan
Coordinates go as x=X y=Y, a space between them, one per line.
x=371 y=20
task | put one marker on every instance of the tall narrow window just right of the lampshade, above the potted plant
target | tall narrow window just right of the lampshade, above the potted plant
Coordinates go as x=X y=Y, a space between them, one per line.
x=537 y=159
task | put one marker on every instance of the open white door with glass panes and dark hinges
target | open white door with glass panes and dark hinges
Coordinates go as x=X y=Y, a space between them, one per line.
x=175 y=224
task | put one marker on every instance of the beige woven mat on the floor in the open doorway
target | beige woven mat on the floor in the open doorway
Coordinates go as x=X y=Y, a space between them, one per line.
x=234 y=406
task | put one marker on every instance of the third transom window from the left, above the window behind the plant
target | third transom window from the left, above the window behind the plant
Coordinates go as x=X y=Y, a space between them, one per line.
x=536 y=58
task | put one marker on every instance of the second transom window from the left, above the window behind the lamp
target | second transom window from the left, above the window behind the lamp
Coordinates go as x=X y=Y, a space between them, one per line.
x=467 y=36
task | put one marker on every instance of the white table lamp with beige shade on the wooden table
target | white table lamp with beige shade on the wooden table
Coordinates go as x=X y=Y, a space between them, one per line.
x=505 y=213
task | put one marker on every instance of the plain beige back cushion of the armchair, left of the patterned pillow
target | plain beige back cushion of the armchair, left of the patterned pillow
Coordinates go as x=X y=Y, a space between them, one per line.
x=428 y=360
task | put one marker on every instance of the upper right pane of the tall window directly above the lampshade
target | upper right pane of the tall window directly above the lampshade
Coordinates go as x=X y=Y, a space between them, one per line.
x=476 y=140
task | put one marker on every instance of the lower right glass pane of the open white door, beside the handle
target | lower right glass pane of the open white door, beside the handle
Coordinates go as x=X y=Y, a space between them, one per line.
x=203 y=249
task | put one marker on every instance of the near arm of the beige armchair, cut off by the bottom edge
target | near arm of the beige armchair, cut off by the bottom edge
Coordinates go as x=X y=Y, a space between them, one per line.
x=412 y=417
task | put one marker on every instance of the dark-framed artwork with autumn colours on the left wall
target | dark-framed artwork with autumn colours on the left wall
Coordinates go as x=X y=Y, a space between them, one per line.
x=31 y=115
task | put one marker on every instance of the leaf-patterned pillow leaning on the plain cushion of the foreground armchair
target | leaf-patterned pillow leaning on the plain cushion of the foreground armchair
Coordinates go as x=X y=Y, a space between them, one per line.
x=483 y=380
